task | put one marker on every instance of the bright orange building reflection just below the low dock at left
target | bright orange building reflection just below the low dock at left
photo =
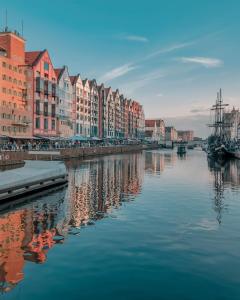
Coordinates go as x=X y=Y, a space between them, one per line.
x=27 y=233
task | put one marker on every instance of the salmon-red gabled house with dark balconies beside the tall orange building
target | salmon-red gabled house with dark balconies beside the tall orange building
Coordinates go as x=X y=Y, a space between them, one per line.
x=42 y=92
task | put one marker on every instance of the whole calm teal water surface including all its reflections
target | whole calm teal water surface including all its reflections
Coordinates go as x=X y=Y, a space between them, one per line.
x=148 y=225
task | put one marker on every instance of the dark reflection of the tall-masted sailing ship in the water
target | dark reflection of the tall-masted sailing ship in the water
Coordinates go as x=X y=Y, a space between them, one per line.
x=226 y=175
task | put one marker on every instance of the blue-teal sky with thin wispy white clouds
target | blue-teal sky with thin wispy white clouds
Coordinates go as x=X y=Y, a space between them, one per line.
x=170 y=55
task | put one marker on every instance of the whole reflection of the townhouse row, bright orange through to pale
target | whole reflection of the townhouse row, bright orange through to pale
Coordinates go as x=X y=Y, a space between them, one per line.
x=96 y=187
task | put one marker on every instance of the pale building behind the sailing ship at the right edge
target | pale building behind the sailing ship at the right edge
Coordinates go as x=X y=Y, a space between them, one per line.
x=232 y=120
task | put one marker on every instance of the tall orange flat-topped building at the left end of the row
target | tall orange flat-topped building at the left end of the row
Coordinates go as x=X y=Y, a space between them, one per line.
x=15 y=105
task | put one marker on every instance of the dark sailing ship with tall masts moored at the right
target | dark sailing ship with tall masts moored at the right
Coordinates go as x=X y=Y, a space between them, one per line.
x=219 y=144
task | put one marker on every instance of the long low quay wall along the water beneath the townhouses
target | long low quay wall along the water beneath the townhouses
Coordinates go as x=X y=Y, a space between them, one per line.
x=16 y=157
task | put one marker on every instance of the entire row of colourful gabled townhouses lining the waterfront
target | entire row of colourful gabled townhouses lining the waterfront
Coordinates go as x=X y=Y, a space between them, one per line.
x=37 y=99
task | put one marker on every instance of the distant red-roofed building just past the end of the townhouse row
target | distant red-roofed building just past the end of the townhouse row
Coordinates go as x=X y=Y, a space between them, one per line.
x=155 y=130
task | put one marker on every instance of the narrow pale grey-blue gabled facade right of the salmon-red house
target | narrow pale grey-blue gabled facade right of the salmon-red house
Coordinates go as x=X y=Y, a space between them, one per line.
x=65 y=107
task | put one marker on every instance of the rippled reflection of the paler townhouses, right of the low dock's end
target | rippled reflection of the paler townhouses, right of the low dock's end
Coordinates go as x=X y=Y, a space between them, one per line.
x=97 y=186
